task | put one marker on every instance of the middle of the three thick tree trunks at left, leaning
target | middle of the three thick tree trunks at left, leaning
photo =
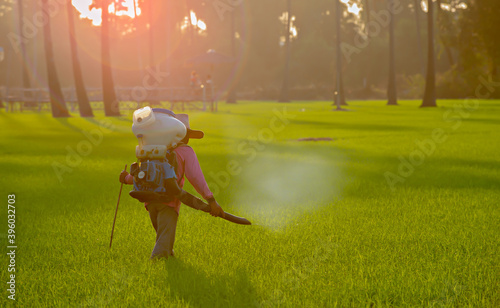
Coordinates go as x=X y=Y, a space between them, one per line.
x=81 y=93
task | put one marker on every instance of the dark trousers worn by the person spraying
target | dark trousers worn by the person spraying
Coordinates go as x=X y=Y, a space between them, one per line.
x=164 y=220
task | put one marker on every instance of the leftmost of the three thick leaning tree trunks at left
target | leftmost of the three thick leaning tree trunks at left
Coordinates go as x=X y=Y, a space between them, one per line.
x=57 y=102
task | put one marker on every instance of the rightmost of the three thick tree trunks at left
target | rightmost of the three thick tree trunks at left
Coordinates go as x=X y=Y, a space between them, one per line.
x=111 y=105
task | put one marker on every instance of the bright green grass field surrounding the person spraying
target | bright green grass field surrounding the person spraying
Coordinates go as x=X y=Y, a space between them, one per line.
x=400 y=208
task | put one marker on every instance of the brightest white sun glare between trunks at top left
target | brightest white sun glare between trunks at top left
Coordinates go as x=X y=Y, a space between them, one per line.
x=118 y=8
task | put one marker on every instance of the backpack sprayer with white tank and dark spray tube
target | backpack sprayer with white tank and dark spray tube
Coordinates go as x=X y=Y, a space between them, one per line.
x=159 y=132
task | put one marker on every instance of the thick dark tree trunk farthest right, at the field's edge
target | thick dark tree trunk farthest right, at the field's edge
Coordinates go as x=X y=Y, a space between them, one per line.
x=429 y=99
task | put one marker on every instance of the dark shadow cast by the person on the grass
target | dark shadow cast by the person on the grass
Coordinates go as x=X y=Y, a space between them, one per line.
x=197 y=289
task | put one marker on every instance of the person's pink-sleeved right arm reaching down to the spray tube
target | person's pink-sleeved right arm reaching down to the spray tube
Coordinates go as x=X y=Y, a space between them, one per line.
x=193 y=173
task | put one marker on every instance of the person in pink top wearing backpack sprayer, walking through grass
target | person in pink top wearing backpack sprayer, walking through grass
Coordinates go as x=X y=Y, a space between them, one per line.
x=164 y=159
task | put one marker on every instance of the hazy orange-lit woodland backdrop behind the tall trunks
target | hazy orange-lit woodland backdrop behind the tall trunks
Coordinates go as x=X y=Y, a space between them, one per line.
x=168 y=34
